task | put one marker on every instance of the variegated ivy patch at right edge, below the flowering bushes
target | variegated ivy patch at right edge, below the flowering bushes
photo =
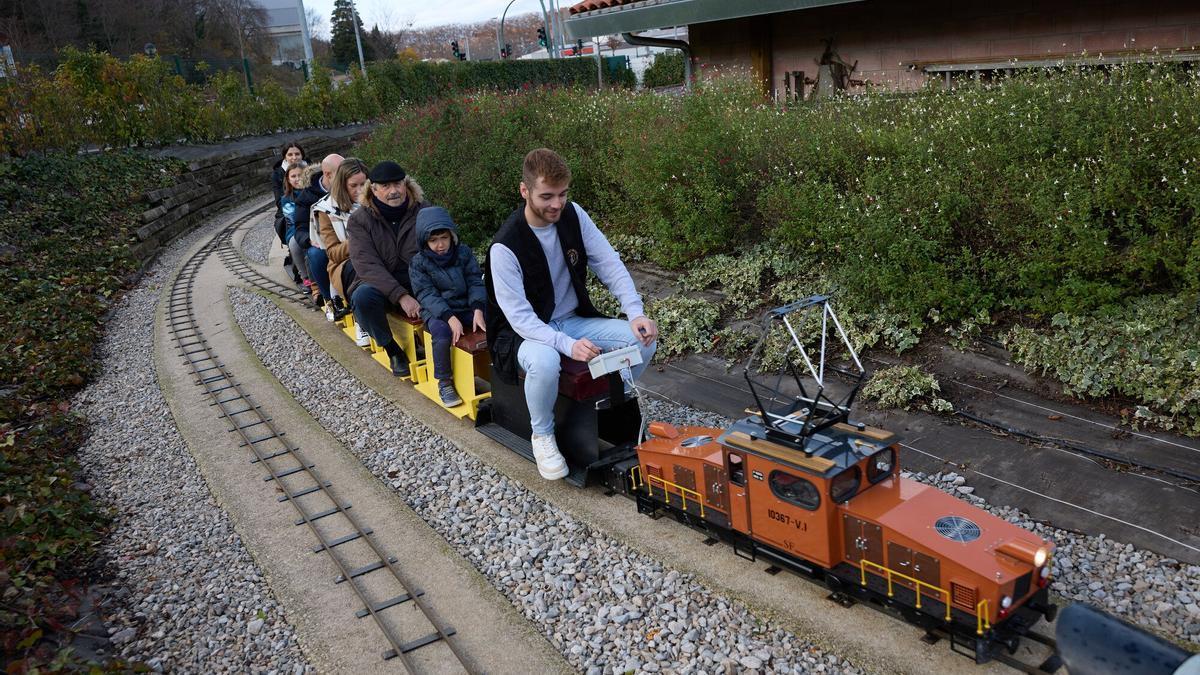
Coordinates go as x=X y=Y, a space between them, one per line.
x=1147 y=351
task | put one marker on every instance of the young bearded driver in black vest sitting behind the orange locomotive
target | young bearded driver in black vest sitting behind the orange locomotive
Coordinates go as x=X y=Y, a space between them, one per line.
x=538 y=300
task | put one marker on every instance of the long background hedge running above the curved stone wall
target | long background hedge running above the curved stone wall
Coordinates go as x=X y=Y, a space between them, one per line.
x=94 y=100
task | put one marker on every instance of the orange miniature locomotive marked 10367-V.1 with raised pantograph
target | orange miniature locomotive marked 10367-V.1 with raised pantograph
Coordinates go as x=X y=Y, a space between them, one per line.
x=801 y=486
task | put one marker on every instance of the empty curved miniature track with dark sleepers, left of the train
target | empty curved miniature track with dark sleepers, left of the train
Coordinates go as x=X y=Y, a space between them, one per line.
x=297 y=477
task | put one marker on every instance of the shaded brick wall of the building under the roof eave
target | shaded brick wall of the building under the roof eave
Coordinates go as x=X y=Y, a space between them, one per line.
x=887 y=38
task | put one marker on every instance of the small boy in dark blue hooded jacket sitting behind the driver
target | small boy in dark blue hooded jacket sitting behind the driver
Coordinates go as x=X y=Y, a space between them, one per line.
x=449 y=286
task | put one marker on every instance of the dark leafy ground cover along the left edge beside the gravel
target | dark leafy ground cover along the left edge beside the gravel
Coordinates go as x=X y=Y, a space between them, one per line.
x=65 y=228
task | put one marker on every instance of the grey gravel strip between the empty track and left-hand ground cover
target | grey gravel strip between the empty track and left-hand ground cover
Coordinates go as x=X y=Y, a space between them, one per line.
x=185 y=594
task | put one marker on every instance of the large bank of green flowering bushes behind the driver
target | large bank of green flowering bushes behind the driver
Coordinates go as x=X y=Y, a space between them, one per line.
x=1065 y=194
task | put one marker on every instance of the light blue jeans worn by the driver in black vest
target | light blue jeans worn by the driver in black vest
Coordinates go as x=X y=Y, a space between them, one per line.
x=542 y=363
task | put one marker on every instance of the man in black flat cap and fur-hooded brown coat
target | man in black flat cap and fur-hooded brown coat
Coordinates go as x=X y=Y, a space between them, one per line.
x=383 y=241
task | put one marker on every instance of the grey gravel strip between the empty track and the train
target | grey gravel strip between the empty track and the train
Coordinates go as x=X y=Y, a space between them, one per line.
x=607 y=607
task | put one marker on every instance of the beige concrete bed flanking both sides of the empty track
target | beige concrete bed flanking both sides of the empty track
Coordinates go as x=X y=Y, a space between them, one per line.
x=491 y=631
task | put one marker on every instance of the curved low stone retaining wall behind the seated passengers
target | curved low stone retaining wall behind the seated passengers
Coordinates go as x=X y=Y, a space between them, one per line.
x=221 y=177
